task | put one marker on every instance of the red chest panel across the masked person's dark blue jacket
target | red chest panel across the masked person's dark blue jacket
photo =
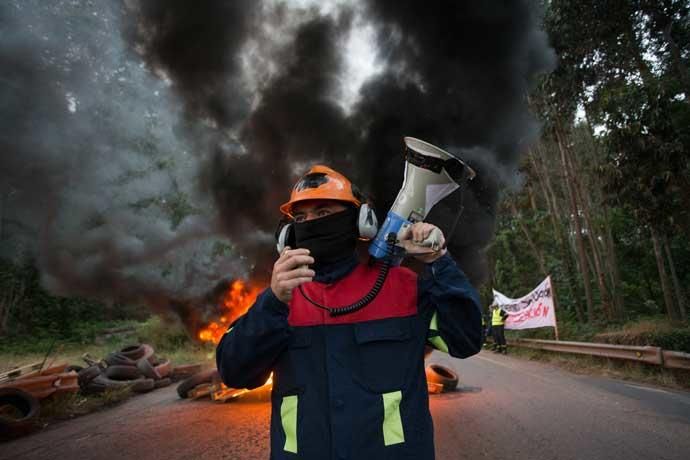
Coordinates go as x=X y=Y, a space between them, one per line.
x=397 y=298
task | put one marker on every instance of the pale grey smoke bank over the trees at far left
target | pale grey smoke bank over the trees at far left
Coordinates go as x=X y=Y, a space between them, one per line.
x=94 y=184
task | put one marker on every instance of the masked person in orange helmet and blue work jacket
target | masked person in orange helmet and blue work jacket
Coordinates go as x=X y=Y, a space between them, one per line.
x=347 y=386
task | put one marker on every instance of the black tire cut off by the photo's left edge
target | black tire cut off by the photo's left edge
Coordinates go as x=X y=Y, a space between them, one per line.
x=19 y=411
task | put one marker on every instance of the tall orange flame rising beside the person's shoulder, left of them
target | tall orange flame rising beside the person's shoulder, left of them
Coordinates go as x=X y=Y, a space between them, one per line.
x=235 y=303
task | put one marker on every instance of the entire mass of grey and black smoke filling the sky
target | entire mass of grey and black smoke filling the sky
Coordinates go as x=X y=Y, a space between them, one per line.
x=129 y=126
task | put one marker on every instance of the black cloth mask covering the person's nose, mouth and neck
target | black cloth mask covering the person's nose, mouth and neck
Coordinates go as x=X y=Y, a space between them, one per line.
x=331 y=238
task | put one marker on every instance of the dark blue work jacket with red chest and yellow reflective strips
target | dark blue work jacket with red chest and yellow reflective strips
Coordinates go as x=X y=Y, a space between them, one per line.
x=353 y=386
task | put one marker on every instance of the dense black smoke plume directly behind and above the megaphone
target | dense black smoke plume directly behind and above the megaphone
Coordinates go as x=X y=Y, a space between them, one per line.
x=459 y=76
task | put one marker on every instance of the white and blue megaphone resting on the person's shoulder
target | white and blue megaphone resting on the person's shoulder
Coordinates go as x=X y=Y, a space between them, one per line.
x=431 y=174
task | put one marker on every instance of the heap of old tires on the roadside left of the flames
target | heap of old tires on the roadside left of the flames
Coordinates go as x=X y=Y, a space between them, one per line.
x=135 y=367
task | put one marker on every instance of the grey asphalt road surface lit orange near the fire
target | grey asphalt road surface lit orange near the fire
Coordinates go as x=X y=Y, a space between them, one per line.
x=506 y=408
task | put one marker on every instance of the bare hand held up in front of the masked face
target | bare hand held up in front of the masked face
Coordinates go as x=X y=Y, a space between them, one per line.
x=289 y=271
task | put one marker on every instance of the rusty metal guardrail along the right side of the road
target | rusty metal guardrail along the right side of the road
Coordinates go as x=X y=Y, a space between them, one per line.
x=649 y=355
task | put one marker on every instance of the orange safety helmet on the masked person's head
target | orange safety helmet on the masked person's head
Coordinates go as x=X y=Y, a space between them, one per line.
x=322 y=183
